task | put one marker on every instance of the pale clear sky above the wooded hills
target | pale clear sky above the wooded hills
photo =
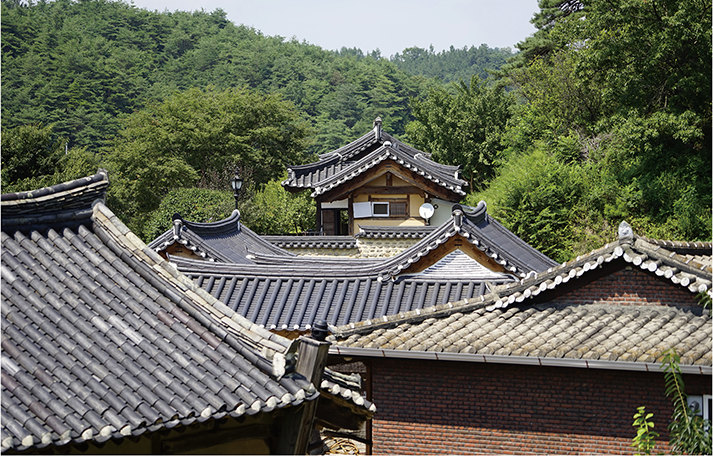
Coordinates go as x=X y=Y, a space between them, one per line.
x=388 y=25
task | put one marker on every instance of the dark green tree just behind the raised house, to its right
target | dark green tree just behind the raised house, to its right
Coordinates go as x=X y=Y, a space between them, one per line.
x=463 y=128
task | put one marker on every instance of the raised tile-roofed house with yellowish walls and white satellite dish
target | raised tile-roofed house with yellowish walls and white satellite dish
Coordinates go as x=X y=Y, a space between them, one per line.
x=377 y=180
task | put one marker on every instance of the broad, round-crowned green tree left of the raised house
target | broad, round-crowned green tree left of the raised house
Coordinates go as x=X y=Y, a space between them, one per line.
x=197 y=138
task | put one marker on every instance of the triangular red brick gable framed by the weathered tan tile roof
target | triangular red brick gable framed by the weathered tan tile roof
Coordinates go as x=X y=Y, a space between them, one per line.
x=629 y=286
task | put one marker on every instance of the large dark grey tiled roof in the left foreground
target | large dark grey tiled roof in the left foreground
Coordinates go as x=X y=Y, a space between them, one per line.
x=103 y=339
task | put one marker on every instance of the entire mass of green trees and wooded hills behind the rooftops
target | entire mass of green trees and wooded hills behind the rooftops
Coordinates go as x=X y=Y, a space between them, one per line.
x=603 y=115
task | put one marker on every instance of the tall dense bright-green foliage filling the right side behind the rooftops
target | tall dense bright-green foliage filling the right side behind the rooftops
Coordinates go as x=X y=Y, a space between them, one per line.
x=617 y=100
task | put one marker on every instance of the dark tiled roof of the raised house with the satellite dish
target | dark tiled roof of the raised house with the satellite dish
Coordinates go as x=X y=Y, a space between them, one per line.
x=360 y=155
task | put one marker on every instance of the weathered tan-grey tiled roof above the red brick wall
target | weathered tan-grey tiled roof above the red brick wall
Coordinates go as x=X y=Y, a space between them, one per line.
x=512 y=325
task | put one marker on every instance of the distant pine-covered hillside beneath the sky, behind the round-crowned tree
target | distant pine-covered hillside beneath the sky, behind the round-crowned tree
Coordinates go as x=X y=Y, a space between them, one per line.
x=84 y=66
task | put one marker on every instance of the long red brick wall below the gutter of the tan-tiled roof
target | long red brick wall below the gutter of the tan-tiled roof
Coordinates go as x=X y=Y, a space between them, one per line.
x=450 y=407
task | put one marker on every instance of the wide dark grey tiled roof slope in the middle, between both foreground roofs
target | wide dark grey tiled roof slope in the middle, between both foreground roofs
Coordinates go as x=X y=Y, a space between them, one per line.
x=295 y=298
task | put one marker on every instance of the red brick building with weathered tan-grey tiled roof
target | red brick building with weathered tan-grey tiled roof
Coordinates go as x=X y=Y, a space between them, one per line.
x=556 y=363
